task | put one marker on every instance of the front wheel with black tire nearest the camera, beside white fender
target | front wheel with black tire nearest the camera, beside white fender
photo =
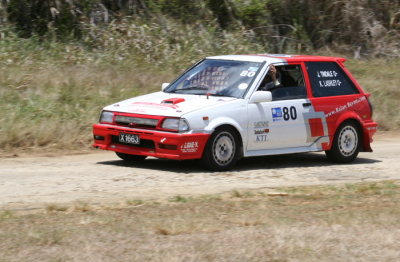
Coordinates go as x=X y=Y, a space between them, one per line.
x=222 y=150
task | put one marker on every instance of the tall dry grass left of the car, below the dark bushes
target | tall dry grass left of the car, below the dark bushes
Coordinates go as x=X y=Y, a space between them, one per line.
x=51 y=93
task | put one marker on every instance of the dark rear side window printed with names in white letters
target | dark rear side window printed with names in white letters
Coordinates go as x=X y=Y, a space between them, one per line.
x=328 y=79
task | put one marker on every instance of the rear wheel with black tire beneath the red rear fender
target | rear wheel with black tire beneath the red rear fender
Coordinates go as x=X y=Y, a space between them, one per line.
x=346 y=143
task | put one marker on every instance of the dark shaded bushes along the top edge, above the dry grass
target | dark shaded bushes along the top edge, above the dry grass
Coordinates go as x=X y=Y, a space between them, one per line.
x=368 y=27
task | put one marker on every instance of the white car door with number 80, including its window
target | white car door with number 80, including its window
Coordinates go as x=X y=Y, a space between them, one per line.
x=281 y=123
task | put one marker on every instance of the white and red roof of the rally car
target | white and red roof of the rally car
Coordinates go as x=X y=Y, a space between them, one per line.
x=279 y=58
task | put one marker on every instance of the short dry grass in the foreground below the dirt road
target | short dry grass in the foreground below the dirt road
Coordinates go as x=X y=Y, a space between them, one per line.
x=315 y=223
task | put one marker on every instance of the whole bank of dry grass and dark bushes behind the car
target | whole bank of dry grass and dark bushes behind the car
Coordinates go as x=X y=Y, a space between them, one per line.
x=61 y=61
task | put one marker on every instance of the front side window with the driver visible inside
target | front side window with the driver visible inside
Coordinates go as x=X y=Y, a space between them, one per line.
x=289 y=84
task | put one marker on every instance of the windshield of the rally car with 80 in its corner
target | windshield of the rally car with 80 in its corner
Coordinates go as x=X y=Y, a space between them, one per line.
x=216 y=77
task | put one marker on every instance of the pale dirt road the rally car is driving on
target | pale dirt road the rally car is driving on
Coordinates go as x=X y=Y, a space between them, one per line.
x=101 y=177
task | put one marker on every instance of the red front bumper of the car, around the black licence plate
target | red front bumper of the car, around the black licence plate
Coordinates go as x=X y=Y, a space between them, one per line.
x=153 y=143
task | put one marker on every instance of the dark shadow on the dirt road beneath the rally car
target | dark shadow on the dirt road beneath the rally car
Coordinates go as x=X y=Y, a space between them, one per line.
x=300 y=160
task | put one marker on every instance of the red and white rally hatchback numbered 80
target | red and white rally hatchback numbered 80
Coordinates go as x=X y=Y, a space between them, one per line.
x=224 y=108
